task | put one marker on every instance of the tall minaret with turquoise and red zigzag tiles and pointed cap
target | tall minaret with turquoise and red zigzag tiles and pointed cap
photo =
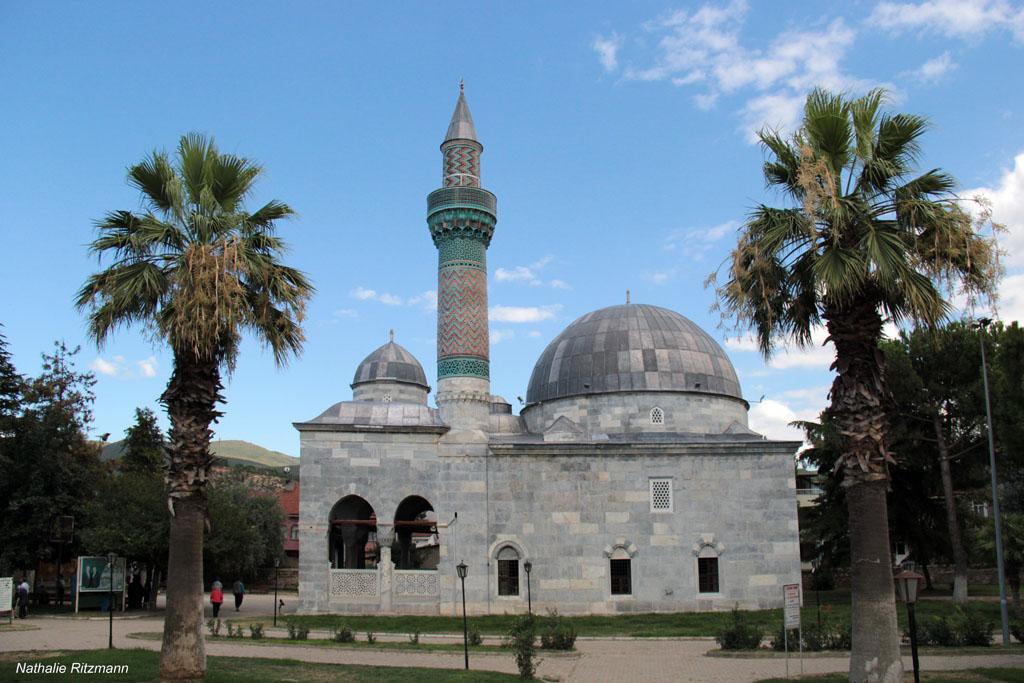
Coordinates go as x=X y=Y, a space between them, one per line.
x=462 y=218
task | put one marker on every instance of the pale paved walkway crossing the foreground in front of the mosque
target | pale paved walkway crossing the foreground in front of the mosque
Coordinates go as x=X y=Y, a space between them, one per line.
x=638 y=661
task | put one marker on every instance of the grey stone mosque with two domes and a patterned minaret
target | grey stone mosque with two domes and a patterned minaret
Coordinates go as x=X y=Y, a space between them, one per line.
x=629 y=483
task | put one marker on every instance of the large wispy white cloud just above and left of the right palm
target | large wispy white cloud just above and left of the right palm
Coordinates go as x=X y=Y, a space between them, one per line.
x=704 y=50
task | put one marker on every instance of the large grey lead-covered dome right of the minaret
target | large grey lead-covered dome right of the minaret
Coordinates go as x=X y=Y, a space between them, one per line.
x=632 y=348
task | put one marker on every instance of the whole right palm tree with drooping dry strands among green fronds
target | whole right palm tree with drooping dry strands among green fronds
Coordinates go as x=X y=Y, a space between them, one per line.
x=865 y=240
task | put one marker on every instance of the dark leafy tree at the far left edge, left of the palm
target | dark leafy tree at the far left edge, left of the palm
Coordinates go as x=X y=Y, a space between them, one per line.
x=55 y=467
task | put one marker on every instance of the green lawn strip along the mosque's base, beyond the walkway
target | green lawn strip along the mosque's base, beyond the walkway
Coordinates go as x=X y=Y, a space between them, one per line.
x=835 y=607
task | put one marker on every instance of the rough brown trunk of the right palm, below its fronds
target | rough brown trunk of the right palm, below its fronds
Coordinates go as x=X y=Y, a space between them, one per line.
x=858 y=409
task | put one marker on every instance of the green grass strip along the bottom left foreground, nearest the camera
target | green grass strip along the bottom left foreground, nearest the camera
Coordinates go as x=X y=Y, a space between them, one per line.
x=143 y=667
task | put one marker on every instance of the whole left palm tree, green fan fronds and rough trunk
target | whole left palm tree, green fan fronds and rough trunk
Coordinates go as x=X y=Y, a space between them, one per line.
x=197 y=271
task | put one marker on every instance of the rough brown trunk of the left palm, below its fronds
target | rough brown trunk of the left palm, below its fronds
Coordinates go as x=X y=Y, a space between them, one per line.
x=191 y=398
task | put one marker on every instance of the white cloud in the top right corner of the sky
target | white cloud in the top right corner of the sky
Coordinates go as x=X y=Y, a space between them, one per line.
x=956 y=19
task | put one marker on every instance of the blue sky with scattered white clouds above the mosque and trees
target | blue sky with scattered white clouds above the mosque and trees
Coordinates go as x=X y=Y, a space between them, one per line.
x=618 y=137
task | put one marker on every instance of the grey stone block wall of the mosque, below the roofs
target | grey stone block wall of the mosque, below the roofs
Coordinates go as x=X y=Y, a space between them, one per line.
x=567 y=508
